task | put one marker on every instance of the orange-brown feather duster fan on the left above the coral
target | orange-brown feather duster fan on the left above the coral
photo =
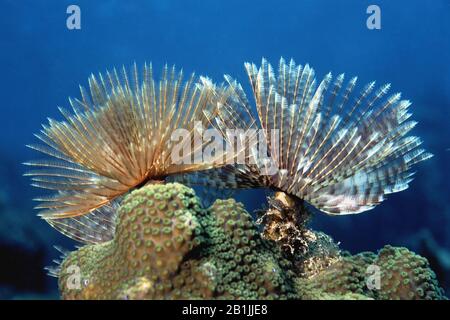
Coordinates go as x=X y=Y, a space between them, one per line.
x=117 y=137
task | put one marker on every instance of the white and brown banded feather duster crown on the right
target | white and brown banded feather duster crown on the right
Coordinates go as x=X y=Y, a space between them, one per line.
x=340 y=148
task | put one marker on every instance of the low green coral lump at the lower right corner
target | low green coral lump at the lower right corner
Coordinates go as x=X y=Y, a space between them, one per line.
x=403 y=275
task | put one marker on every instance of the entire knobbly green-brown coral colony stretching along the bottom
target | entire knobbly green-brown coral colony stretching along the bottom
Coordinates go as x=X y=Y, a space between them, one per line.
x=167 y=246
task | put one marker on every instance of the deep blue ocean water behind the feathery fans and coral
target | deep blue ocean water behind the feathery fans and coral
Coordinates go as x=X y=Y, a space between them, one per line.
x=43 y=62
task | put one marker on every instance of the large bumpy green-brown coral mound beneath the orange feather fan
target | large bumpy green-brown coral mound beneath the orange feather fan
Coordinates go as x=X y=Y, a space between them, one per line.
x=167 y=246
